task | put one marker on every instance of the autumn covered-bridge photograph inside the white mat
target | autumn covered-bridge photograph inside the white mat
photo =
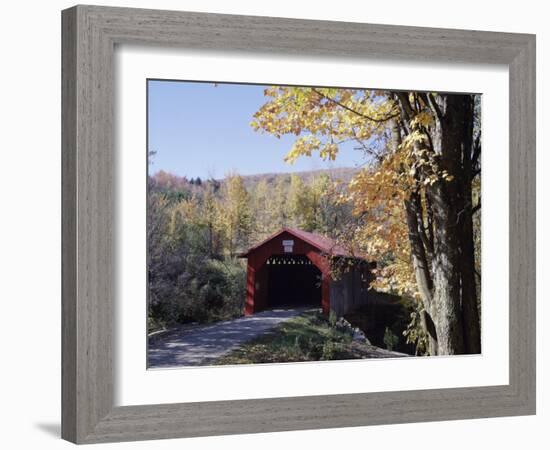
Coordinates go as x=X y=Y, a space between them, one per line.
x=310 y=223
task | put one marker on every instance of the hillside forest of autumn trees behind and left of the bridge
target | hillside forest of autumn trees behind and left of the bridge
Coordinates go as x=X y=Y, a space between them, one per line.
x=197 y=228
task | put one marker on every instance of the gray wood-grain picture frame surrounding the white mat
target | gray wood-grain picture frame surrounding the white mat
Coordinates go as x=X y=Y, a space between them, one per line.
x=89 y=36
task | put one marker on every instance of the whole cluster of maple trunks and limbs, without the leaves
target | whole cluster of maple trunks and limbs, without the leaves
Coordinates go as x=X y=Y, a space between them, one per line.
x=446 y=279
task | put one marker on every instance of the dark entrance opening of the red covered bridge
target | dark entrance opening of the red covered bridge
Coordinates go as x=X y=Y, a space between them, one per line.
x=293 y=280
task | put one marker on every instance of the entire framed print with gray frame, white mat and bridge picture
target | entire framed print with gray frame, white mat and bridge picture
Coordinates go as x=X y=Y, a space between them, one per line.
x=277 y=224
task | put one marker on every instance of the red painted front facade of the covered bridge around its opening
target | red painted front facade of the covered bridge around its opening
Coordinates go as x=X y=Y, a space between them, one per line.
x=256 y=287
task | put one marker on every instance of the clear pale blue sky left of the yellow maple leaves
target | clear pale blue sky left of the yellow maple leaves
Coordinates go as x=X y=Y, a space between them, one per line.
x=199 y=129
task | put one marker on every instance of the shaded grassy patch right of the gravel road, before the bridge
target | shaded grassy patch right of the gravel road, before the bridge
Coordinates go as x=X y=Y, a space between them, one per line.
x=308 y=337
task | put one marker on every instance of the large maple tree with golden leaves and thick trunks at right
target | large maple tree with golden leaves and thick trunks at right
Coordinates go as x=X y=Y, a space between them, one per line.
x=414 y=192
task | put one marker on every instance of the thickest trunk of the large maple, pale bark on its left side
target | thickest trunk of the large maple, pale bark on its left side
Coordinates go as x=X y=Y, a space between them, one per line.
x=447 y=199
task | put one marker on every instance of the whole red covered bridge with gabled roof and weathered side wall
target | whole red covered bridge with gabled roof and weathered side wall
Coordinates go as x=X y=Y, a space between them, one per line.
x=293 y=268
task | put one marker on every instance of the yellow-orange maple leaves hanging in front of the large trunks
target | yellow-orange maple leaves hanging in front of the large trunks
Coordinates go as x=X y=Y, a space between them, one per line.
x=324 y=118
